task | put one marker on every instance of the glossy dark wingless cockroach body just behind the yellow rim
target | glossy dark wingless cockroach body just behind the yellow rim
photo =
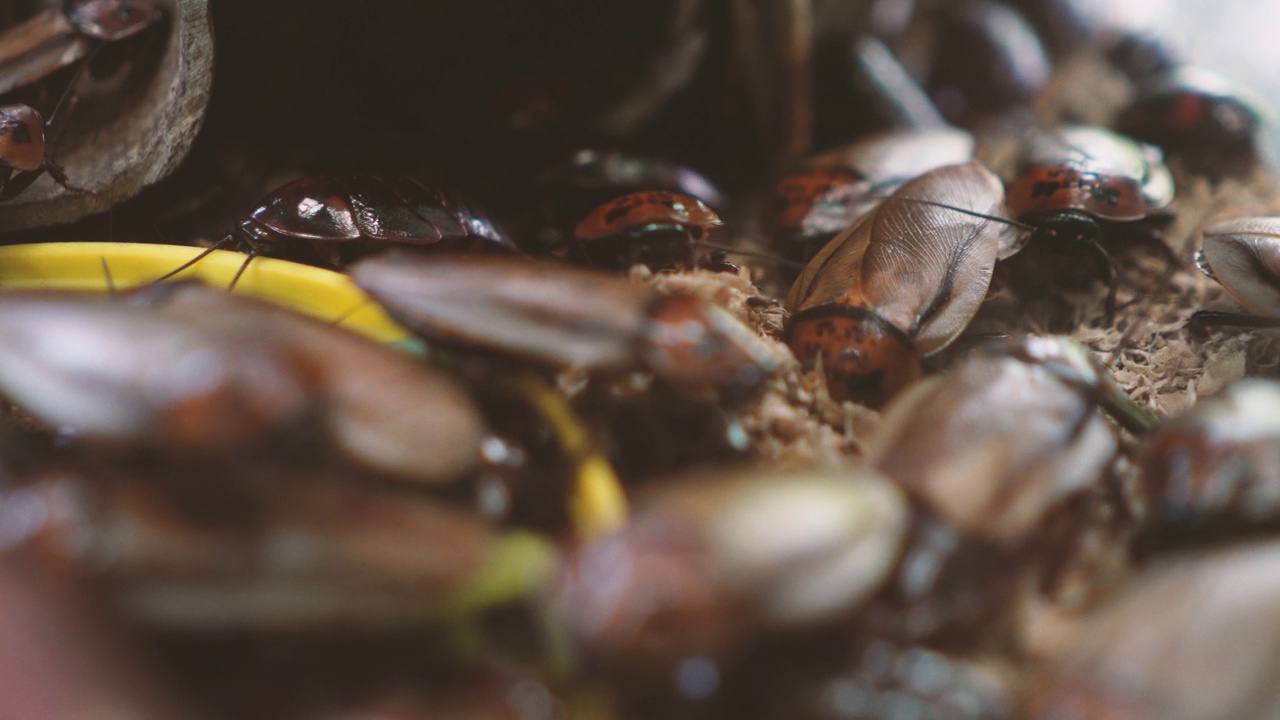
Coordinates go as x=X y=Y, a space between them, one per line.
x=374 y=208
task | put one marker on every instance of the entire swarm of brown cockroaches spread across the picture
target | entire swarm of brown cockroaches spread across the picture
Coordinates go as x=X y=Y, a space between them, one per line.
x=304 y=523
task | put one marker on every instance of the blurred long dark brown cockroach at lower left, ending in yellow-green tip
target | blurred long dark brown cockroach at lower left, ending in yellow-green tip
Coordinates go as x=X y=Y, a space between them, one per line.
x=299 y=549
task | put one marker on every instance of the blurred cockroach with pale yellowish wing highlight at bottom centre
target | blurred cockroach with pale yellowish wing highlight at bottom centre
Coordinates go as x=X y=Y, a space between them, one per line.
x=708 y=563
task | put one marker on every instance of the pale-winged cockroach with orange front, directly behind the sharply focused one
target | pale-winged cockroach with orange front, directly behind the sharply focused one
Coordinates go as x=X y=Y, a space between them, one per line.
x=833 y=190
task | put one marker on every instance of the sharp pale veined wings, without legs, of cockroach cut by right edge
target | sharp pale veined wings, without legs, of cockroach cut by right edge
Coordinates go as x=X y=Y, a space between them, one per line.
x=1245 y=256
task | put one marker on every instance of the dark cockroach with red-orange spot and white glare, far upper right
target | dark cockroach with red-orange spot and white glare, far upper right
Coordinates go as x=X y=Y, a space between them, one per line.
x=1200 y=117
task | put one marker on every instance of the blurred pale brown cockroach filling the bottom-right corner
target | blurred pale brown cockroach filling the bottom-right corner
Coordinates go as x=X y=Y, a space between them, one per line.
x=1191 y=637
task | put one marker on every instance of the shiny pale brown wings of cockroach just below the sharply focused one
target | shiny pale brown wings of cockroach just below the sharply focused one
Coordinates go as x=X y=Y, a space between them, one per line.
x=994 y=446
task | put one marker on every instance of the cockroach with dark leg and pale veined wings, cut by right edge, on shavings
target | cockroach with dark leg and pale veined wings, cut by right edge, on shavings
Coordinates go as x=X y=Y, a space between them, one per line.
x=1244 y=256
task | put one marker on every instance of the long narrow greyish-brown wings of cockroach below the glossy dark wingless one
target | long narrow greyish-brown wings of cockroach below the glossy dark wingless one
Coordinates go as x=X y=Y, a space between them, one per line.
x=548 y=315
